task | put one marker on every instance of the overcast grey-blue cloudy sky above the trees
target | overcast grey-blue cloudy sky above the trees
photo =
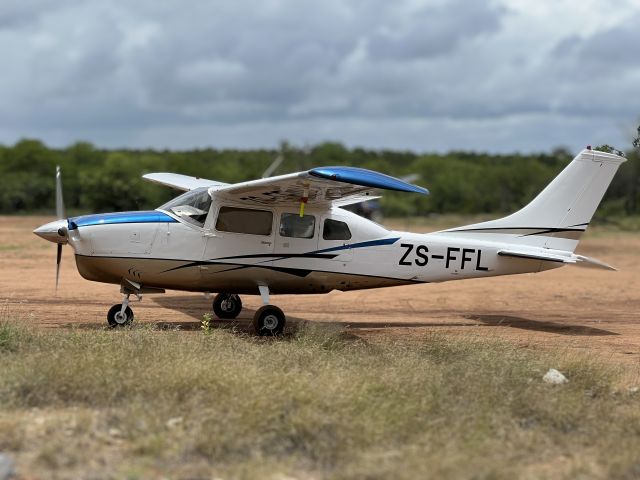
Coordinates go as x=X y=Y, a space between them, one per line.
x=517 y=75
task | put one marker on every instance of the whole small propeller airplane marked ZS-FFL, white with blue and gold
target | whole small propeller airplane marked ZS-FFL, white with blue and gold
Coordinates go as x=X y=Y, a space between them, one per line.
x=288 y=234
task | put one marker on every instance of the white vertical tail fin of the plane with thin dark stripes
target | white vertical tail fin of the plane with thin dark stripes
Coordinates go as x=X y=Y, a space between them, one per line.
x=560 y=214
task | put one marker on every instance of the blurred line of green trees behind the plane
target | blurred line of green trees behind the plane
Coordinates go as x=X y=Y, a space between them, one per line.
x=99 y=180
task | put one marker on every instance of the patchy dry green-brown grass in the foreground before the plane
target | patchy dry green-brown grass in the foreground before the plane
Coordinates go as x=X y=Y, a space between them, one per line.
x=141 y=403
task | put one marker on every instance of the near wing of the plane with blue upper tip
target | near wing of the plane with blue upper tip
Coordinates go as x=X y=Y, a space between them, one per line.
x=322 y=186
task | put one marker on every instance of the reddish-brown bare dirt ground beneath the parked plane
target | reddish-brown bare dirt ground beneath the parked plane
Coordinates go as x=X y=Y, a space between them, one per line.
x=573 y=309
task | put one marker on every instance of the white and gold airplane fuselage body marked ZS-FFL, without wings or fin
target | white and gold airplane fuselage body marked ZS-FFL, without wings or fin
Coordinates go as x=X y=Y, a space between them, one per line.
x=158 y=250
